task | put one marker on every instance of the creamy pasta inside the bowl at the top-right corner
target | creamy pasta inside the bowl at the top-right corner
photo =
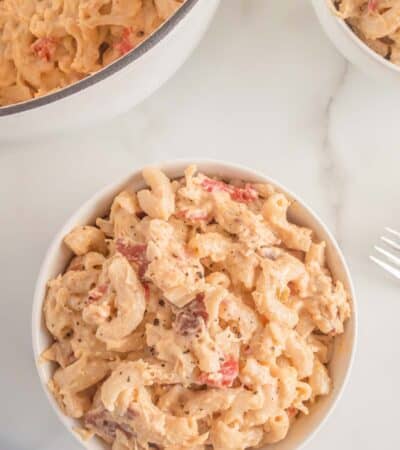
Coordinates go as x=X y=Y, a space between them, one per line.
x=375 y=22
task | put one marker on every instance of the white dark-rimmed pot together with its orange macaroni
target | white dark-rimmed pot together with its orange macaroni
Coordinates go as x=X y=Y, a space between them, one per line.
x=71 y=63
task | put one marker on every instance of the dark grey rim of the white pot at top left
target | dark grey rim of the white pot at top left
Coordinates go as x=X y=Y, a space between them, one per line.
x=144 y=47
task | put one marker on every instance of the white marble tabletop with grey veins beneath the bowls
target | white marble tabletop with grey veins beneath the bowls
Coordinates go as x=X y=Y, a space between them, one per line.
x=264 y=88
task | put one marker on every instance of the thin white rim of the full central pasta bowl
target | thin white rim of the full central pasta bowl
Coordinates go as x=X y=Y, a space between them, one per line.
x=102 y=194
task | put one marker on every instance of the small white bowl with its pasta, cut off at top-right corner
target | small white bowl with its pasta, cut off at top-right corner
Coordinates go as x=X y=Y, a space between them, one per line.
x=366 y=32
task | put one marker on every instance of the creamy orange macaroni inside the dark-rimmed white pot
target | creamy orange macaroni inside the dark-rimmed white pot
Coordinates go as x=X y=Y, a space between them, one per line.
x=47 y=45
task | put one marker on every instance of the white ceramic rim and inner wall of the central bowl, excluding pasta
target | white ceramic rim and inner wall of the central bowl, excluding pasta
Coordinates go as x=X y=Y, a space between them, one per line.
x=58 y=256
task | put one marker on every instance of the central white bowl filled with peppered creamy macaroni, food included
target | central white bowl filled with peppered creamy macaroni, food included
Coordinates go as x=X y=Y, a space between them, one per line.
x=194 y=306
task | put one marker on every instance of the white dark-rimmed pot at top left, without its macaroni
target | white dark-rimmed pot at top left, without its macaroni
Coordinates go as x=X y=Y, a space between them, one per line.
x=117 y=87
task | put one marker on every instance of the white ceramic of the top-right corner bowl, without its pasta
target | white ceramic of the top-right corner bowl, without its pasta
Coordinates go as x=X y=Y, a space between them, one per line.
x=353 y=48
